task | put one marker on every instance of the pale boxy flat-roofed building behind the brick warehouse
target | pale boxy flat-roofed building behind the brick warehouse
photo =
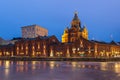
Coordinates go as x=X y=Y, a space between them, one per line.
x=33 y=31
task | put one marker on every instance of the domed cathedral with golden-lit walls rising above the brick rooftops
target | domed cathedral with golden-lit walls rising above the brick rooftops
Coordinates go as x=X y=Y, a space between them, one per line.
x=75 y=31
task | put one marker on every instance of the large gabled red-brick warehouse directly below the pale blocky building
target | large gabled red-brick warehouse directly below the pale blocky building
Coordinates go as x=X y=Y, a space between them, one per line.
x=34 y=47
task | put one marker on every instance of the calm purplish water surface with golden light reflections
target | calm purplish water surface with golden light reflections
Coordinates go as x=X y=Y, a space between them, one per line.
x=53 y=70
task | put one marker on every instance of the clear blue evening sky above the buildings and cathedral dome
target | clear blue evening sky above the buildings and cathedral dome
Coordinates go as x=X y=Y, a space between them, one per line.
x=102 y=17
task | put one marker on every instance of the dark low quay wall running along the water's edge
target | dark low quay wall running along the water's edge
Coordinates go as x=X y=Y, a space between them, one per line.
x=88 y=59
